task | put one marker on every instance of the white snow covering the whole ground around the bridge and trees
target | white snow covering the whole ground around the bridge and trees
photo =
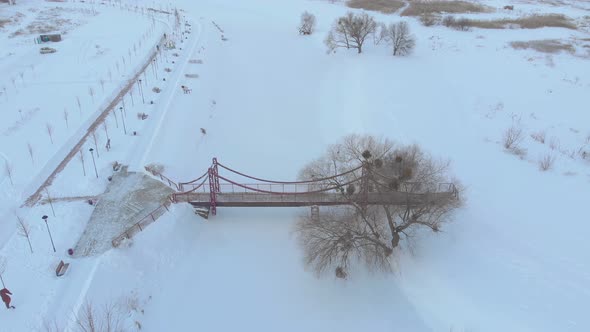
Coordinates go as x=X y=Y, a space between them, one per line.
x=514 y=259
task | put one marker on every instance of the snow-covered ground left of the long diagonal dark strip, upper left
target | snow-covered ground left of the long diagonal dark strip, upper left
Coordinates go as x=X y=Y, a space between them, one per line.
x=55 y=97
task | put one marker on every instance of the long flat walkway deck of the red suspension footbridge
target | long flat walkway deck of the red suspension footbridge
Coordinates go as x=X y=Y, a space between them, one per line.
x=321 y=199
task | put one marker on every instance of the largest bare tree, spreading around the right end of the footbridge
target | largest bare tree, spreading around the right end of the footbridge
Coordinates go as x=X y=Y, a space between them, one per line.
x=406 y=183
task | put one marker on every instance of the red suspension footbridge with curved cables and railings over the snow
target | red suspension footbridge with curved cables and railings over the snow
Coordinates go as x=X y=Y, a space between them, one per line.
x=214 y=188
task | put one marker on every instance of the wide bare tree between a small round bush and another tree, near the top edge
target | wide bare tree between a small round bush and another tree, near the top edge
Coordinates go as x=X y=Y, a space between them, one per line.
x=351 y=31
